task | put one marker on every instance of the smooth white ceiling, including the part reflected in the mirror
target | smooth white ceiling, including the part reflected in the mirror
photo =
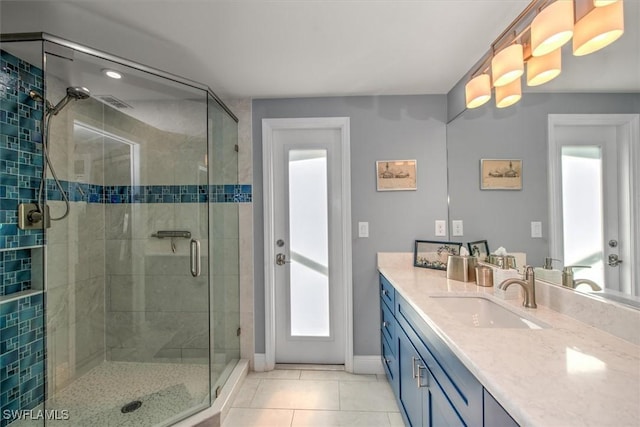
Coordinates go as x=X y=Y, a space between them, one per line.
x=295 y=48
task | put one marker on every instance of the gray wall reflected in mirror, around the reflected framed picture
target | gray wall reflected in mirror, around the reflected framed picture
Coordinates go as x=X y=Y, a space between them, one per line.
x=518 y=132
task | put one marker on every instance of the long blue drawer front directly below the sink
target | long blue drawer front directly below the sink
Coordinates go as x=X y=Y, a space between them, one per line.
x=460 y=386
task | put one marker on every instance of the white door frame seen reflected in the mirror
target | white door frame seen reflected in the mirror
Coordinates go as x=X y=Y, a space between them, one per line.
x=628 y=132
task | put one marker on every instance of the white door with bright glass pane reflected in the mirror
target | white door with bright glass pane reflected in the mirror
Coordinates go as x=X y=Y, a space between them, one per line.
x=594 y=194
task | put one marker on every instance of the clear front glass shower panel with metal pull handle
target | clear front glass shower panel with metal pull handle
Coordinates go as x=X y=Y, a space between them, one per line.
x=128 y=273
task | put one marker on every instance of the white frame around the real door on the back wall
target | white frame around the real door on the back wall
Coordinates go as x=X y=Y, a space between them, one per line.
x=269 y=126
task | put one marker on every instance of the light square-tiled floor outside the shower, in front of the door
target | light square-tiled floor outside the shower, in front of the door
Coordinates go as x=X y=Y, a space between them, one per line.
x=299 y=397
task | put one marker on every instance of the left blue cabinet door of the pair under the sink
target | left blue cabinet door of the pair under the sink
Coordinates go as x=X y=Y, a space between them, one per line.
x=412 y=396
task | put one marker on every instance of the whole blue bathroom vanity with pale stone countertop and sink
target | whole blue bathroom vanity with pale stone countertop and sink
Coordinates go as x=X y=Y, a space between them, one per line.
x=502 y=364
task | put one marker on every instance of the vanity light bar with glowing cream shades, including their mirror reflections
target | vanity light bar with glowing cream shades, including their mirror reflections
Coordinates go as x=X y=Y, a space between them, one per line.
x=535 y=37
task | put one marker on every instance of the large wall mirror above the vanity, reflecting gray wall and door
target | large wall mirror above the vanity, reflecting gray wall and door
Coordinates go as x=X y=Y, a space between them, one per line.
x=605 y=83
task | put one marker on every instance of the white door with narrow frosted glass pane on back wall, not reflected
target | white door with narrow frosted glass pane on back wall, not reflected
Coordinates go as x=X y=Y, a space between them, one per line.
x=305 y=254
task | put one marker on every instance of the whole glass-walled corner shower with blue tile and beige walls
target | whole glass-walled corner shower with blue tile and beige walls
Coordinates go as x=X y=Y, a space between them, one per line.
x=125 y=310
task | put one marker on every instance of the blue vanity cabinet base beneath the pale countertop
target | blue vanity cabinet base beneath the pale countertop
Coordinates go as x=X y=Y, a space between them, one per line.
x=431 y=385
